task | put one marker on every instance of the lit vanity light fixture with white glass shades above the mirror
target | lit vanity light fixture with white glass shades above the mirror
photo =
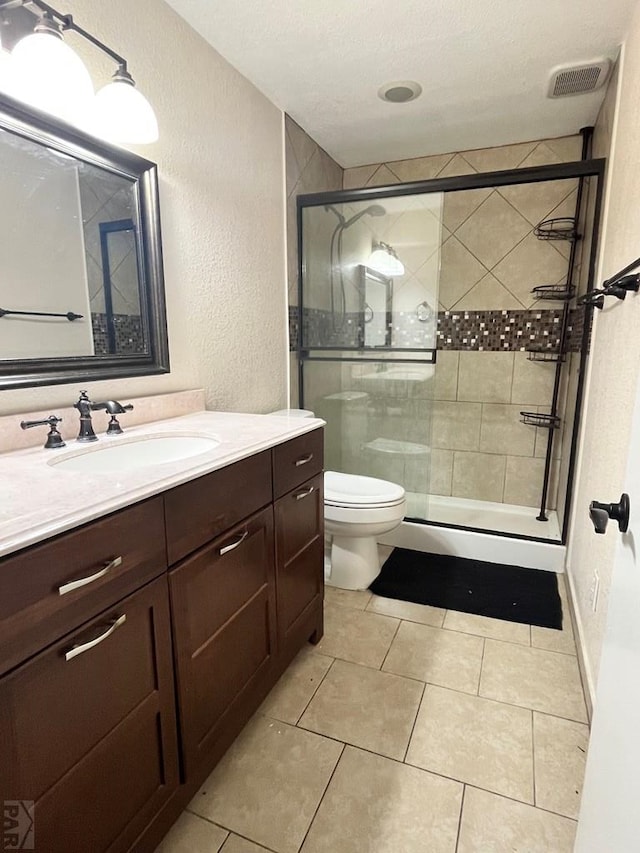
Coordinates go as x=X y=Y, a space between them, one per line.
x=46 y=73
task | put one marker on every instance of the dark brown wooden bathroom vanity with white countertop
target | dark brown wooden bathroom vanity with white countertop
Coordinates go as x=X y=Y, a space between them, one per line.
x=135 y=646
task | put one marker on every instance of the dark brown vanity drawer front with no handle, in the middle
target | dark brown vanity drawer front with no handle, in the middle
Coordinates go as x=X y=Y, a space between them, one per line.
x=198 y=511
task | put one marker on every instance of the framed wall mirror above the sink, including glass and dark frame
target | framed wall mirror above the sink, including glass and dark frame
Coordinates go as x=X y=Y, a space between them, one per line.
x=81 y=275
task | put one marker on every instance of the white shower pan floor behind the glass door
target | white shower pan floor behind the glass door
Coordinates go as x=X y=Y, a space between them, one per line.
x=483 y=515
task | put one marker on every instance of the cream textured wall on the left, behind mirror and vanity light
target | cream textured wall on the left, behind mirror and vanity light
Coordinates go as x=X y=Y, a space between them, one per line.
x=220 y=160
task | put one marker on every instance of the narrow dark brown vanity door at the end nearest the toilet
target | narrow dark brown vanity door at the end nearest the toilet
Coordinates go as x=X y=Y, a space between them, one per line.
x=299 y=562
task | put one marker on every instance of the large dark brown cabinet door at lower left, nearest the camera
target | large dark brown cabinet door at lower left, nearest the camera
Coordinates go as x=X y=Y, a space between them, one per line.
x=87 y=729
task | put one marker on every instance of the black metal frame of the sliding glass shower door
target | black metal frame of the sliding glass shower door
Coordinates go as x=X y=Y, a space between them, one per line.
x=588 y=168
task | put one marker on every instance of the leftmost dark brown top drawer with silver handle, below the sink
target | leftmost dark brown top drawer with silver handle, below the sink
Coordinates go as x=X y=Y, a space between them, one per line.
x=65 y=581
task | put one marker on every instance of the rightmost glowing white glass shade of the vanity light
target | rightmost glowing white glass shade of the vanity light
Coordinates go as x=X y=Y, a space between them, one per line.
x=123 y=114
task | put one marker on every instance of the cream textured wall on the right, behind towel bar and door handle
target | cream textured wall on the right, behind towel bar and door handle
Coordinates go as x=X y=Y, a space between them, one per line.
x=615 y=355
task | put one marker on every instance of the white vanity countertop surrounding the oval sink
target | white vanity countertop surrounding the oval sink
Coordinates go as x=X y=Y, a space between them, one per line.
x=39 y=500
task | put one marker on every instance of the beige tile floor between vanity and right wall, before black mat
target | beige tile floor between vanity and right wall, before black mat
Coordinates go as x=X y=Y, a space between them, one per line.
x=407 y=729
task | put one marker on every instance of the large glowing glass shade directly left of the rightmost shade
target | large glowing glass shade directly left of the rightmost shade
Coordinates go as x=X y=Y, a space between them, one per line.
x=47 y=74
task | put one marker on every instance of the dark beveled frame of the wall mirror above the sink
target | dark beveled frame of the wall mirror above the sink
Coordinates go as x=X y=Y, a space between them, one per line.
x=59 y=136
